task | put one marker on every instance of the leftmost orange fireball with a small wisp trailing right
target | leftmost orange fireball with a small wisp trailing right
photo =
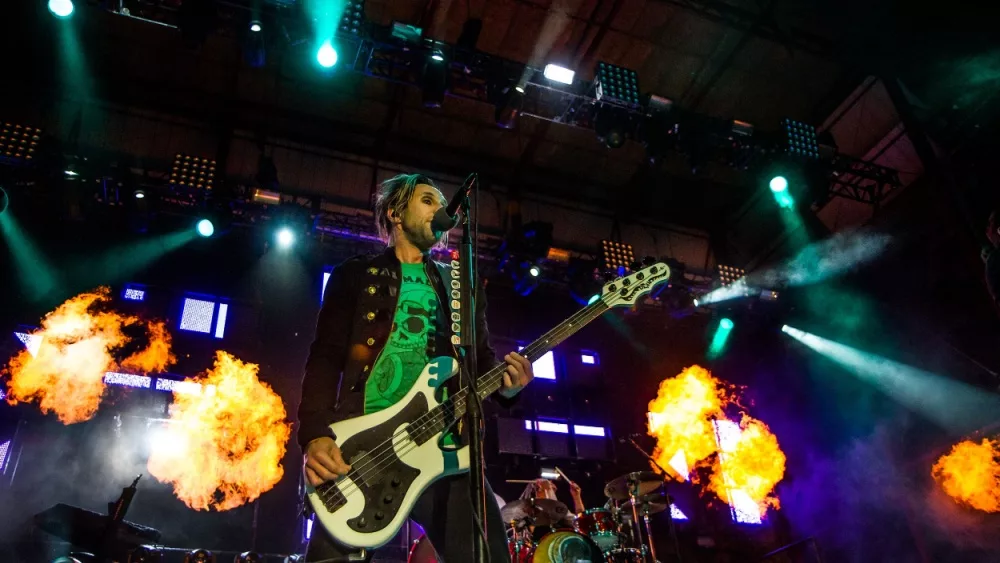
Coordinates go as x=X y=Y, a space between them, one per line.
x=76 y=344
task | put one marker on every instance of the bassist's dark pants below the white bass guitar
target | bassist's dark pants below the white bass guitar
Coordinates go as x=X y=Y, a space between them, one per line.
x=445 y=512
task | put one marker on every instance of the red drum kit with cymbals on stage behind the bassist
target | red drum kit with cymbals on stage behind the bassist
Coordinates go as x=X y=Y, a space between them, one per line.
x=618 y=532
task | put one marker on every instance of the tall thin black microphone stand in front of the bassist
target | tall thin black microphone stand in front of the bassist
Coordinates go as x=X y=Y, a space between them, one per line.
x=469 y=367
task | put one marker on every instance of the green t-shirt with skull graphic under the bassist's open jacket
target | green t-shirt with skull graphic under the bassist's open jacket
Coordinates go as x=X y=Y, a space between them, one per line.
x=405 y=354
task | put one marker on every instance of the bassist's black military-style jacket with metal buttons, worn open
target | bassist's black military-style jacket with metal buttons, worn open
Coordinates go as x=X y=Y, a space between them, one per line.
x=354 y=324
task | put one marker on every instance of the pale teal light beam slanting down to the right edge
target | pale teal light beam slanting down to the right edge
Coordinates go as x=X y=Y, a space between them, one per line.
x=954 y=406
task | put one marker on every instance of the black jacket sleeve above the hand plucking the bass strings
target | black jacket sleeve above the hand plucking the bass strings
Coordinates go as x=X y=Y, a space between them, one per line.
x=321 y=382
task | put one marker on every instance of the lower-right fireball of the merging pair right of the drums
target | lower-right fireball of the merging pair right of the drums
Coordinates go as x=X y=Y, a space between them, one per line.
x=751 y=466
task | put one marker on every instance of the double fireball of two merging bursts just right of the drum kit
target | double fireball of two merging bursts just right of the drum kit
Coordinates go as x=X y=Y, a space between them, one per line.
x=687 y=419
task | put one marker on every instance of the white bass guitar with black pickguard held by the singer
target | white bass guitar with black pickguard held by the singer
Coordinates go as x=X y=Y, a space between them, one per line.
x=395 y=454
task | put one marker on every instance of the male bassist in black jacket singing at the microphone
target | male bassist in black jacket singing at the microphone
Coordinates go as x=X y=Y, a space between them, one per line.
x=383 y=317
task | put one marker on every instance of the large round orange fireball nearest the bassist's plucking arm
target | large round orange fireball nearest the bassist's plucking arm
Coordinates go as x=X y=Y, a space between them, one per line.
x=222 y=446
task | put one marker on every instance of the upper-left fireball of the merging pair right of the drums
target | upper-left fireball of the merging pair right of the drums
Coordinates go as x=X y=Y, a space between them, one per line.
x=680 y=418
